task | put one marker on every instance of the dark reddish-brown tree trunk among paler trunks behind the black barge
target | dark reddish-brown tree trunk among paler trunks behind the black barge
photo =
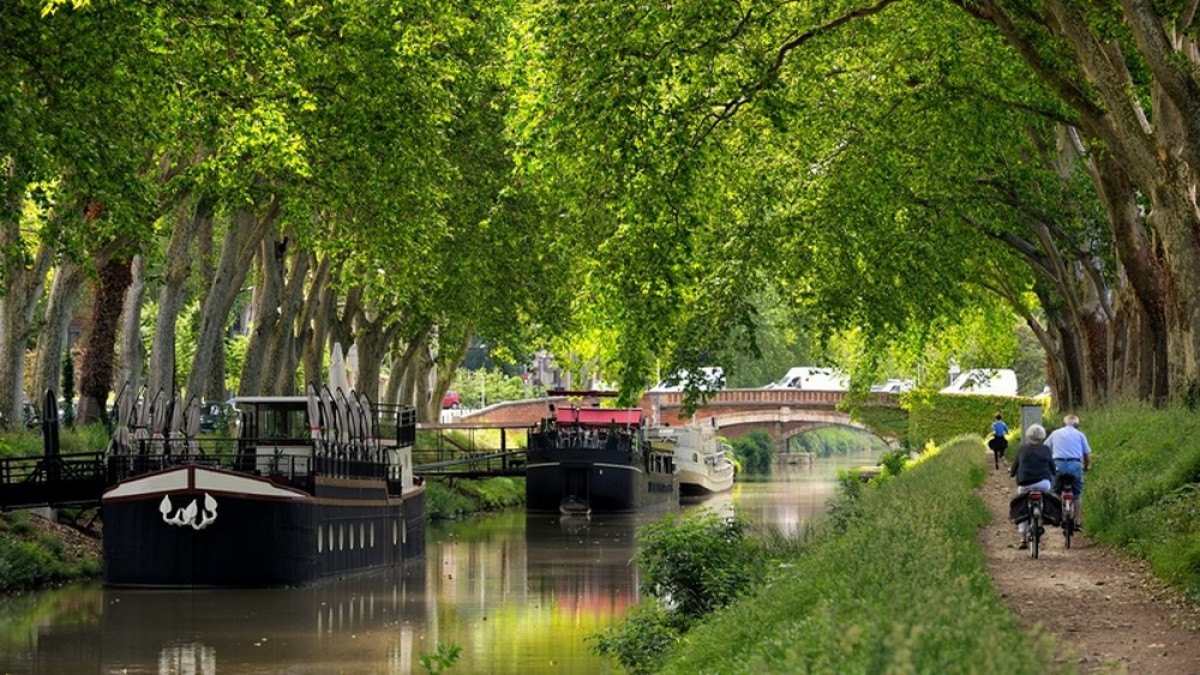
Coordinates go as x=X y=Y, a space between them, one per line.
x=97 y=373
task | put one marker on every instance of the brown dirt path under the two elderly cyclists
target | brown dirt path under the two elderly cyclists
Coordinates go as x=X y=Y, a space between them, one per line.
x=1107 y=612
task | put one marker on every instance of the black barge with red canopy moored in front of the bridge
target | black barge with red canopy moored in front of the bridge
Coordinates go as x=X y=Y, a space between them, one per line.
x=598 y=457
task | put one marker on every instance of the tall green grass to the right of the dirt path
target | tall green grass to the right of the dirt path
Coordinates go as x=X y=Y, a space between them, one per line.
x=1143 y=493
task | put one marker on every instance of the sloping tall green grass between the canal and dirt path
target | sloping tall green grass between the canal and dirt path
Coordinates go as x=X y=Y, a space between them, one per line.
x=899 y=588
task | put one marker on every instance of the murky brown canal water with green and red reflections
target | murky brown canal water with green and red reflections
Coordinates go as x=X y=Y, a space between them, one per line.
x=517 y=593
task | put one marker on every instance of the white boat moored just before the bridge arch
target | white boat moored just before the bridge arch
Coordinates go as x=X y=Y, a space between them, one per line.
x=700 y=458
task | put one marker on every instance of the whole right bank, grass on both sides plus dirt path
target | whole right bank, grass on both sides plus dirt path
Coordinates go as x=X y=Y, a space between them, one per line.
x=890 y=582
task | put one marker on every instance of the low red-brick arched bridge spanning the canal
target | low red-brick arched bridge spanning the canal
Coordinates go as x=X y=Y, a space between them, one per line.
x=782 y=414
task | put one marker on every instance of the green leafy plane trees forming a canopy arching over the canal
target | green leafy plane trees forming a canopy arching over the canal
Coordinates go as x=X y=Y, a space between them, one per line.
x=652 y=187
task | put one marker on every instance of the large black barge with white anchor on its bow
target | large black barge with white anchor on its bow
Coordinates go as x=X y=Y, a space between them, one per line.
x=311 y=492
